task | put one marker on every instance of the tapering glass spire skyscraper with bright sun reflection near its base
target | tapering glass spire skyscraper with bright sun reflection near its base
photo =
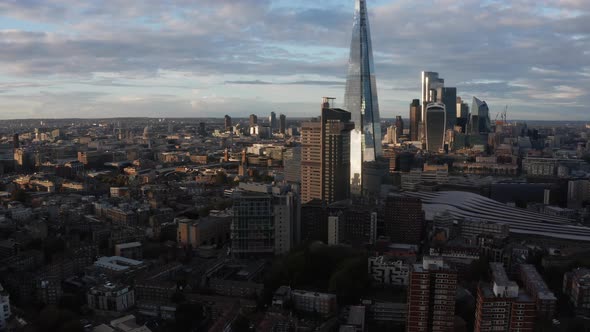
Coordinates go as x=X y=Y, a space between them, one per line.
x=360 y=99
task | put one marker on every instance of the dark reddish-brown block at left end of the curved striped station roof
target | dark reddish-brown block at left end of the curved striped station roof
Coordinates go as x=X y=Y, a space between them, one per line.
x=403 y=219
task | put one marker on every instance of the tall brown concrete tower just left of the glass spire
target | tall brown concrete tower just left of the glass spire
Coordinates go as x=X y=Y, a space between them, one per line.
x=325 y=159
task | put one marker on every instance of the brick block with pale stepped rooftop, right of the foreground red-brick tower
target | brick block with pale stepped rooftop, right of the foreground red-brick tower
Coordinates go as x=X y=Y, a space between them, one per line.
x=502 y=306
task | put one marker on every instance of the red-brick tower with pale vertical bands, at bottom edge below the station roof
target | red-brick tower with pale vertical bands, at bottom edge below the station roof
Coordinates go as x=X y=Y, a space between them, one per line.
x=431 y=296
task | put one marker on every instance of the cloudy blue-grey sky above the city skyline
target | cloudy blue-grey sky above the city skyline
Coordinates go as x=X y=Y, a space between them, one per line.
x=208 y=58
